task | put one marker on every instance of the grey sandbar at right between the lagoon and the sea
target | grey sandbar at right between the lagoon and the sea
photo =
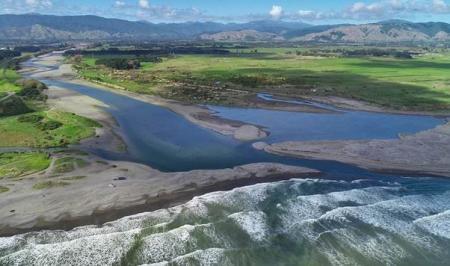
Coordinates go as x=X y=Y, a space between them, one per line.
x=426 y=152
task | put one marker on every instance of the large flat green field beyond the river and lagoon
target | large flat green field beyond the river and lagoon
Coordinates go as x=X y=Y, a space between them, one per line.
x=422 y=83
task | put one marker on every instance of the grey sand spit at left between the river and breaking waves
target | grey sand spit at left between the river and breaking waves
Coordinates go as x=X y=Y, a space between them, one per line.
x=99 y=197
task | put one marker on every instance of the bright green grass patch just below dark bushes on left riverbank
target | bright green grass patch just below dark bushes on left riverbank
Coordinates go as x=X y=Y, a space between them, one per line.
x=73 y=128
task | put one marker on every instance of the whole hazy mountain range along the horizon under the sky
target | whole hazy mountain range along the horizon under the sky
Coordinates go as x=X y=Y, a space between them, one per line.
x=47 y=28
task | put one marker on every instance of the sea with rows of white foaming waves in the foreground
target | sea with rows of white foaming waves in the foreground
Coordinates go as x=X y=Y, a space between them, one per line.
x=295 y=222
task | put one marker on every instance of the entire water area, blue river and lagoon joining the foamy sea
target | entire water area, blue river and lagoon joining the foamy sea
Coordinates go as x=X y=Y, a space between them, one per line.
x=348 y=217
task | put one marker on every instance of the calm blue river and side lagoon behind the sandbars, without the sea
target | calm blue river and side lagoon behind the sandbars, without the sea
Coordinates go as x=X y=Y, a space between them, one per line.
x=166 y=141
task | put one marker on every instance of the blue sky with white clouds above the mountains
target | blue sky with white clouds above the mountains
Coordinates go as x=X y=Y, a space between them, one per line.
x=309 y=11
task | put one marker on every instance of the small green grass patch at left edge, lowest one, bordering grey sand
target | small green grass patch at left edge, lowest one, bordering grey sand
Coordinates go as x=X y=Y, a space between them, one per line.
x=14 y=165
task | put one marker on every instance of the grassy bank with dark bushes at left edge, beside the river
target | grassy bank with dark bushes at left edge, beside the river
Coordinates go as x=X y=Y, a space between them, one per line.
x=36 y=126
